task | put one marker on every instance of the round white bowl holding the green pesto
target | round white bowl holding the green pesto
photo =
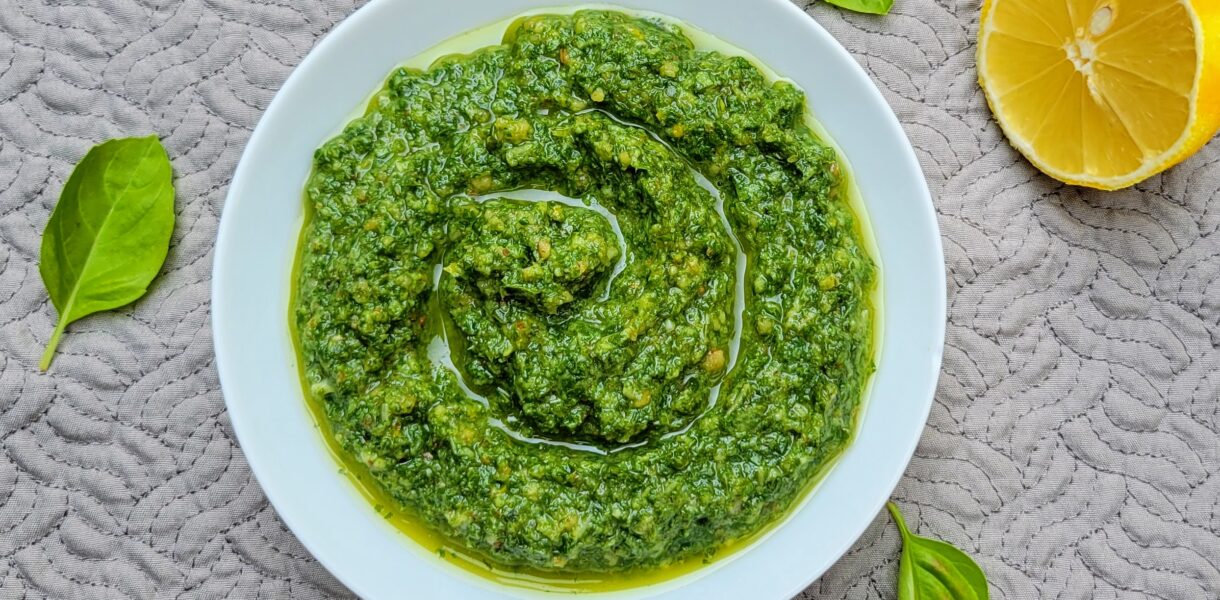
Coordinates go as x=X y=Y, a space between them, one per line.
x=258 y=240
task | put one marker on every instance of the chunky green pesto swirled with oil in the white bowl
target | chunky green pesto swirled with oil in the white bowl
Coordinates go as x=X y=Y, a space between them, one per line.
x=624 y=381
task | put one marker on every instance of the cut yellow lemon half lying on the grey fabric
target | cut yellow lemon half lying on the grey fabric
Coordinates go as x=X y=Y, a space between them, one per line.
x=1102 y=93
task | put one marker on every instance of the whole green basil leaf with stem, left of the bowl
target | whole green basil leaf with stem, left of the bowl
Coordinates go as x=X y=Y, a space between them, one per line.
x=110 y=231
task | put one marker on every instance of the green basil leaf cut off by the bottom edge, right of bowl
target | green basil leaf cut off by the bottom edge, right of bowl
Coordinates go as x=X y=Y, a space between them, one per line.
x=934 y=570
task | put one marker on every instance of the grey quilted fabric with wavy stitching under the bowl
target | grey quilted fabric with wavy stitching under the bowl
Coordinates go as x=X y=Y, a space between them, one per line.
x=1073 y=447
